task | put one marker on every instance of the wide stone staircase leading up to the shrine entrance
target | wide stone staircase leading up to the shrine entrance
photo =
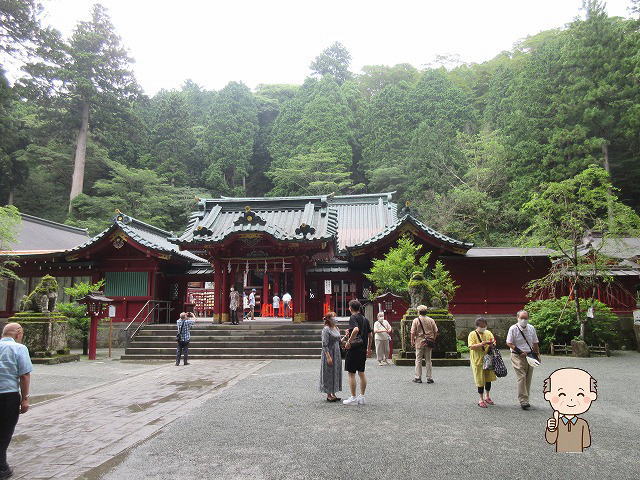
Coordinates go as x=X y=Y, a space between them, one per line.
x=245 y=341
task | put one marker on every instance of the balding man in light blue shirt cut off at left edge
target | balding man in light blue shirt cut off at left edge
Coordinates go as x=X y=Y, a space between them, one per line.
x=15 y=377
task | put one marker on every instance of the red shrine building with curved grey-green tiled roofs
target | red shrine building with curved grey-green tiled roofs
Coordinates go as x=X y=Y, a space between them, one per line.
x=315 y=248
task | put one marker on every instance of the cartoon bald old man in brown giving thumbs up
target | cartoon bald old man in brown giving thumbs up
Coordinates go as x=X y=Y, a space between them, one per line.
x=570 y=391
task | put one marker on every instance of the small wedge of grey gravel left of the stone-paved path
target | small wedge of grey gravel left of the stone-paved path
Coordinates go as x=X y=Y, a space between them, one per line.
x=52 y=381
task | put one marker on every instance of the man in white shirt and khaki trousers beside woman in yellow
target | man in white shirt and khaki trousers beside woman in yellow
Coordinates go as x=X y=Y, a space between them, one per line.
x=523 y=341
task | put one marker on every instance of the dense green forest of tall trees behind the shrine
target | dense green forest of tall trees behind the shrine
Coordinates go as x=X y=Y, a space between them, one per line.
x=467 y=146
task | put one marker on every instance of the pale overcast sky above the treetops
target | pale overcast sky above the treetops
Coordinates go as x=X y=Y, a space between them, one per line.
x=258 y=41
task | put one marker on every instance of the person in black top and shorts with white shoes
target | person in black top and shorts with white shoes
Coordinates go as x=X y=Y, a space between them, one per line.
x=358 y=346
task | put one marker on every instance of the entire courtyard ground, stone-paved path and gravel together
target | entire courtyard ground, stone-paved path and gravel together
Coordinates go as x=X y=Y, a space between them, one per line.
x=270 y=422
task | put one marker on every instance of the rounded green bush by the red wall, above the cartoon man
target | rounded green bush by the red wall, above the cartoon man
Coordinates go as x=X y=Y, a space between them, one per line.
x=557 y=324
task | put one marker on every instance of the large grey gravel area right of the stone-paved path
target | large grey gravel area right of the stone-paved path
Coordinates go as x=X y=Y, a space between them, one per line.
x=275 y=425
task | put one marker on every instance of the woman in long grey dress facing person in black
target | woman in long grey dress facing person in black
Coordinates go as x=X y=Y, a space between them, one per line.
x=331 y=366
